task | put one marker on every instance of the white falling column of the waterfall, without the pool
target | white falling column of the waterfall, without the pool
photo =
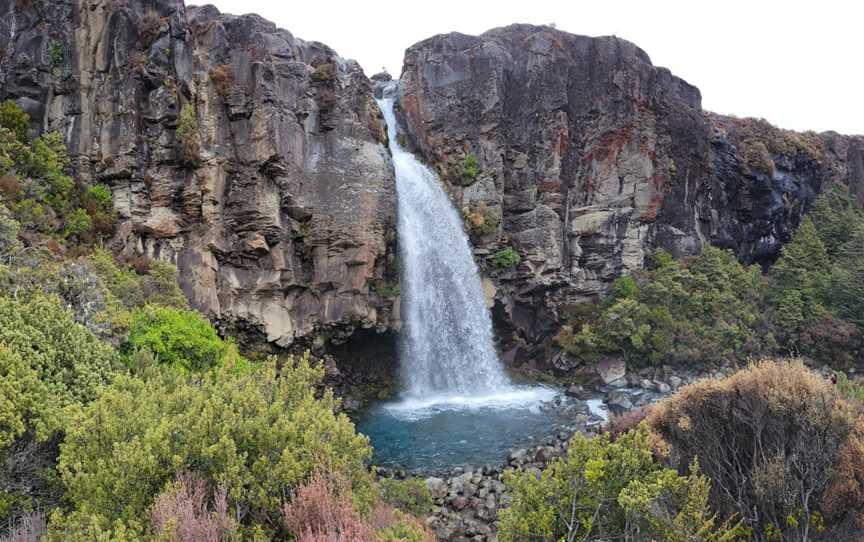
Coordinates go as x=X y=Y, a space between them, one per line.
x=446 y=347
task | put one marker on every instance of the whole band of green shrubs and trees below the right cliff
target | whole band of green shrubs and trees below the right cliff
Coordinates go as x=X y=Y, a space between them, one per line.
x=711 y=309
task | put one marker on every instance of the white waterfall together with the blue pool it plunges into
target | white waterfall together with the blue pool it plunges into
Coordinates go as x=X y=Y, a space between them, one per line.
x=457 y=406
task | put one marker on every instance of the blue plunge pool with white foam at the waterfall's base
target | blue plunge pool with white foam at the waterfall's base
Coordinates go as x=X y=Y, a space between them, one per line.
x=435 y=434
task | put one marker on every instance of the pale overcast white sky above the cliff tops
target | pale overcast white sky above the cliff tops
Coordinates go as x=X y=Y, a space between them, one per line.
x=799 y=64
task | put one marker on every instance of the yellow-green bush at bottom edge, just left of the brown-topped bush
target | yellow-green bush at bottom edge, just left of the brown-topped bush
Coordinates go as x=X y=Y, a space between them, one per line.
x=611 y=490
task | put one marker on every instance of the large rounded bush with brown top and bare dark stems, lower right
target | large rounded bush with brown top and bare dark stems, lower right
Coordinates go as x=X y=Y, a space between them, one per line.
x=768 y=437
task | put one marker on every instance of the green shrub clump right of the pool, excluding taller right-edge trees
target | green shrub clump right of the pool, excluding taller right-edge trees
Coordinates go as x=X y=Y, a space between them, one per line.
x=707 y=310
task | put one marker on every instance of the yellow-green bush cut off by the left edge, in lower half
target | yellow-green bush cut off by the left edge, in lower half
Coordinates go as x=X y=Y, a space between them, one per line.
x=47 y=363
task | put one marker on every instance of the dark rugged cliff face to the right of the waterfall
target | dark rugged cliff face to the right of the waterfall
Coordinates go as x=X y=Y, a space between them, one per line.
x=590 y=158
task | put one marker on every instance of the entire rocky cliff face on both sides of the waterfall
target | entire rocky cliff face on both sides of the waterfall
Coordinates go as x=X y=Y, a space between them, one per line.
x=257 y=162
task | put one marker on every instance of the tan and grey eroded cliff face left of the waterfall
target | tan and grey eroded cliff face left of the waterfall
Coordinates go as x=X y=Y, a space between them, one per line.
x=278 y=209
